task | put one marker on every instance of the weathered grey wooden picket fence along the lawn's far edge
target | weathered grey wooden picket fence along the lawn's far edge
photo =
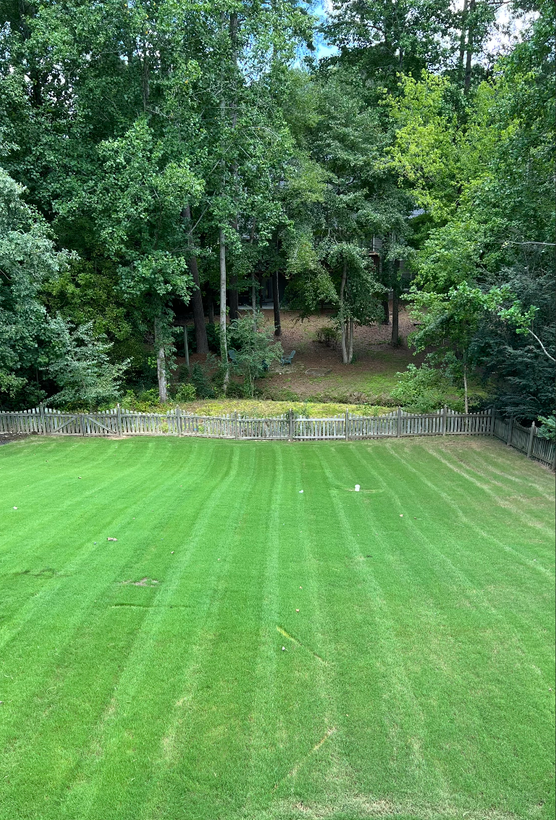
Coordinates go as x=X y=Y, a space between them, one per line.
x=398 y=423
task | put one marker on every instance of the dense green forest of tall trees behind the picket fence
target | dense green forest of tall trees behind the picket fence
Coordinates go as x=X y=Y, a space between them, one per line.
x=165 y=162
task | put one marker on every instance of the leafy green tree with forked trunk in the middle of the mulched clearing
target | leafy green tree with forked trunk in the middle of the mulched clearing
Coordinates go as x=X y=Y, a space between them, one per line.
x=352 y=200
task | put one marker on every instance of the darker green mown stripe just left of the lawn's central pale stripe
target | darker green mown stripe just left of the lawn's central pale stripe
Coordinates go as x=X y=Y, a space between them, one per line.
x=230 y=643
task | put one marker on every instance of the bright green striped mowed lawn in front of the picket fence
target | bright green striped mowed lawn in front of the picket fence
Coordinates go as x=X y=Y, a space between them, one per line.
x=169 y=674
